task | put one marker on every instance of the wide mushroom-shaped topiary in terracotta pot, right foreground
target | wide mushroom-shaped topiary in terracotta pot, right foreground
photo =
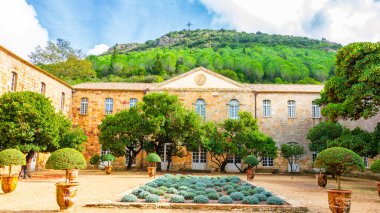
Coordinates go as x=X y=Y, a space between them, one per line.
x=337 y=161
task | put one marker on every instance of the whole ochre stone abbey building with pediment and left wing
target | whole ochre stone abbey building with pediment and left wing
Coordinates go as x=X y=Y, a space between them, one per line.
x=285 y=112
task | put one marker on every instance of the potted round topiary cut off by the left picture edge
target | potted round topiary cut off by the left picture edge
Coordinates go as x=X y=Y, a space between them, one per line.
x=10 y=157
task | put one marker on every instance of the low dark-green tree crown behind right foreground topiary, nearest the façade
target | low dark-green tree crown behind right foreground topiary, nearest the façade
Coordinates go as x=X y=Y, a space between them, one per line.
x=319 y=134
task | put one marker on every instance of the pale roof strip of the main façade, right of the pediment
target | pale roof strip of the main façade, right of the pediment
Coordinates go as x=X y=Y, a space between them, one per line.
x=299 y=88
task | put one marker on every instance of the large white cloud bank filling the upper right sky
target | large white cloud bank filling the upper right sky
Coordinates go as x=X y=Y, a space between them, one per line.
x=342 y=21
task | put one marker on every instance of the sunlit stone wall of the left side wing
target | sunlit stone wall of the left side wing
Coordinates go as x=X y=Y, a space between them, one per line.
x=29 y=78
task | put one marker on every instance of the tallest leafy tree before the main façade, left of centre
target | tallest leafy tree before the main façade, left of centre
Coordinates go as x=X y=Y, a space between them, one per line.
x=170 y=123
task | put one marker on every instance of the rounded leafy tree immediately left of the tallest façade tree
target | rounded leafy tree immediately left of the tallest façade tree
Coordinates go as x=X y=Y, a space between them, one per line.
x=124 y=133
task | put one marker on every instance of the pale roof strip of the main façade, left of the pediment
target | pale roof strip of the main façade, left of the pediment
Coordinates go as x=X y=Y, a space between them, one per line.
x=114 y=86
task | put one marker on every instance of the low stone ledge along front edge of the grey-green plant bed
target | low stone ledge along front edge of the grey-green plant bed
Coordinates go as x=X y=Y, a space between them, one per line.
x=203 y=207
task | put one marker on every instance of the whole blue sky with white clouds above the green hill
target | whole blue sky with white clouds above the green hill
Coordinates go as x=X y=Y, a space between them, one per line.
x=95 y=25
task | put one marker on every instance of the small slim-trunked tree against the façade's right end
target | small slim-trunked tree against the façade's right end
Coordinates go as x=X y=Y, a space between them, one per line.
x=292 y=152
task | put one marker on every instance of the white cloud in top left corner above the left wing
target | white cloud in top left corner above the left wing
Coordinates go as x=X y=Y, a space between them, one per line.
x=20 y=30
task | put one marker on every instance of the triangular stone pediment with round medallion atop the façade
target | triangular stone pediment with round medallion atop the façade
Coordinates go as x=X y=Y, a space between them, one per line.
x=200 y=78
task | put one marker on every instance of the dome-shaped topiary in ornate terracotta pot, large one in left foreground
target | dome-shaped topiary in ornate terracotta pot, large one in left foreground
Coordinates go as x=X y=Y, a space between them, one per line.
x=66 y=159
